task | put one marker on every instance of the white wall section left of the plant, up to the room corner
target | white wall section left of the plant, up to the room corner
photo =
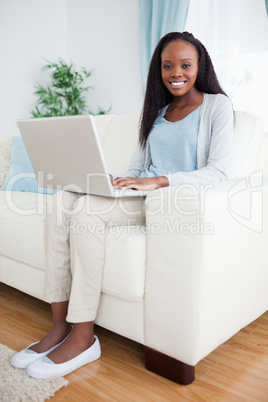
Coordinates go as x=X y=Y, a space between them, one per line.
x=29 y=31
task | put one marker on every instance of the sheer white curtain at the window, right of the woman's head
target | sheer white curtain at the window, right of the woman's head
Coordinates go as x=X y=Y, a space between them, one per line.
x=235 y=35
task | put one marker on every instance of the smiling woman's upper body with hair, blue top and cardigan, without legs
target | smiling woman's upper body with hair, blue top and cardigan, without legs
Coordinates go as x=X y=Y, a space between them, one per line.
x=183 y=113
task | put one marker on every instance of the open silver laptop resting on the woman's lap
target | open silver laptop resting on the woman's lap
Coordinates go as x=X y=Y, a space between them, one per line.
x=66 y=154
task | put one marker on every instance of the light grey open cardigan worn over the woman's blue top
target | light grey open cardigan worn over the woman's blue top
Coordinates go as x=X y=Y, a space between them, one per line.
x=213 y=145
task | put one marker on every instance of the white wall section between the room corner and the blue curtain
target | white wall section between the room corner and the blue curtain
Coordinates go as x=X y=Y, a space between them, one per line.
x=104 y=35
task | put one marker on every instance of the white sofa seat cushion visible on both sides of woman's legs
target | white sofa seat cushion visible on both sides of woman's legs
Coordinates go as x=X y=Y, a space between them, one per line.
x=22 y=239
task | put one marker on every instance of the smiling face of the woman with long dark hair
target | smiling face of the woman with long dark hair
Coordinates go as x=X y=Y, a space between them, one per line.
x=179 y=67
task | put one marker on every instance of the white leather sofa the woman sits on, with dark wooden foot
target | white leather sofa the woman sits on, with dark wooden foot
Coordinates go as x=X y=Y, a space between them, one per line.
x=189 y=280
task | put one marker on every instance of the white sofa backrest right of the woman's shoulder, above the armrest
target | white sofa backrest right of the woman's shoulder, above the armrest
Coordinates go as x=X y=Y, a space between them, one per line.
x=247 y=142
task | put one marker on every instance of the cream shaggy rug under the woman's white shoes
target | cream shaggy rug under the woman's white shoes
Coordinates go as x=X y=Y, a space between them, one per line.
x=17 y=386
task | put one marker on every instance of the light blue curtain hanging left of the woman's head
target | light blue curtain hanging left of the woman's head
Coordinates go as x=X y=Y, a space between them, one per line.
x=156 y=18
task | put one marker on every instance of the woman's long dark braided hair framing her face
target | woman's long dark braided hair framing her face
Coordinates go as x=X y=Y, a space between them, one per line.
x=157 y=96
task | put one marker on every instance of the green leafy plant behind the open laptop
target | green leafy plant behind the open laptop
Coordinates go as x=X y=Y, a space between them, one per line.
x=65 y=95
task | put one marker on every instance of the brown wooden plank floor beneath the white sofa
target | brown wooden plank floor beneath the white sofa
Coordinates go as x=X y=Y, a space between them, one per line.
x=235 y=371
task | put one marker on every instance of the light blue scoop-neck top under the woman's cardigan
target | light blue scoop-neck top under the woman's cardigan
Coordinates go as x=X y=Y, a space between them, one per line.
x=173 y=145
